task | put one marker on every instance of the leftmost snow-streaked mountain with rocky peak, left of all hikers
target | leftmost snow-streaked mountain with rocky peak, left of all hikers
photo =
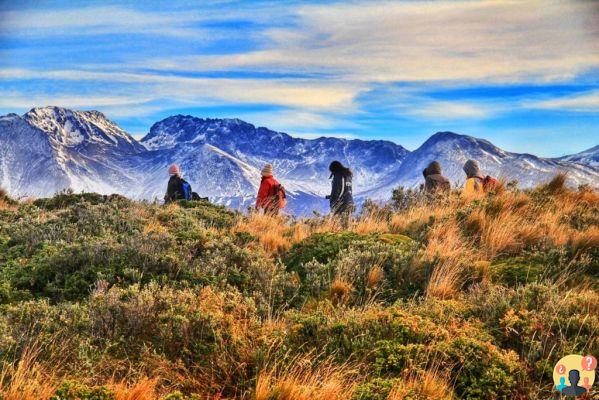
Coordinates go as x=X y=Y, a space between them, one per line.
x=81 y=150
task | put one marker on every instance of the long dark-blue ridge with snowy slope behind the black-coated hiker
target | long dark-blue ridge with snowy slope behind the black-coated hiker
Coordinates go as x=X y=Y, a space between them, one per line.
x=298 y=161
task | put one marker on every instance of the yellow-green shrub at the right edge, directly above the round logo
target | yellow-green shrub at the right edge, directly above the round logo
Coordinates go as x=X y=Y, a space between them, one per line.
x=539 y=322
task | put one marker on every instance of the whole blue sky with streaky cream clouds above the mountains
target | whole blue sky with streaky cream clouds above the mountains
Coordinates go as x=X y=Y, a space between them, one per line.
x=523 y=74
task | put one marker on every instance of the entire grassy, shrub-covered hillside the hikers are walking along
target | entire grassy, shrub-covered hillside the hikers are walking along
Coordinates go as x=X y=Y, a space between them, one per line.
x=105 y=298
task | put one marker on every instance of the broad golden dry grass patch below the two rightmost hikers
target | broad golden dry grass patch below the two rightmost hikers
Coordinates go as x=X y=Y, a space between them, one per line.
x=506 y=225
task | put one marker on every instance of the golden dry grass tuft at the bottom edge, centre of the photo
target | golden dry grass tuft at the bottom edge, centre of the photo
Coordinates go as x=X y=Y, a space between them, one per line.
x=302 y=381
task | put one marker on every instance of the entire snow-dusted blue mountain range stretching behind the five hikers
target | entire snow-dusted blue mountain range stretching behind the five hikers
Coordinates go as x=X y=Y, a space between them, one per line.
x=50 y=149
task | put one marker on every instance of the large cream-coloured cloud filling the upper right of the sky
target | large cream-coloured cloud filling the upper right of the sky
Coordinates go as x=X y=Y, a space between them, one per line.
x=425 y=41
